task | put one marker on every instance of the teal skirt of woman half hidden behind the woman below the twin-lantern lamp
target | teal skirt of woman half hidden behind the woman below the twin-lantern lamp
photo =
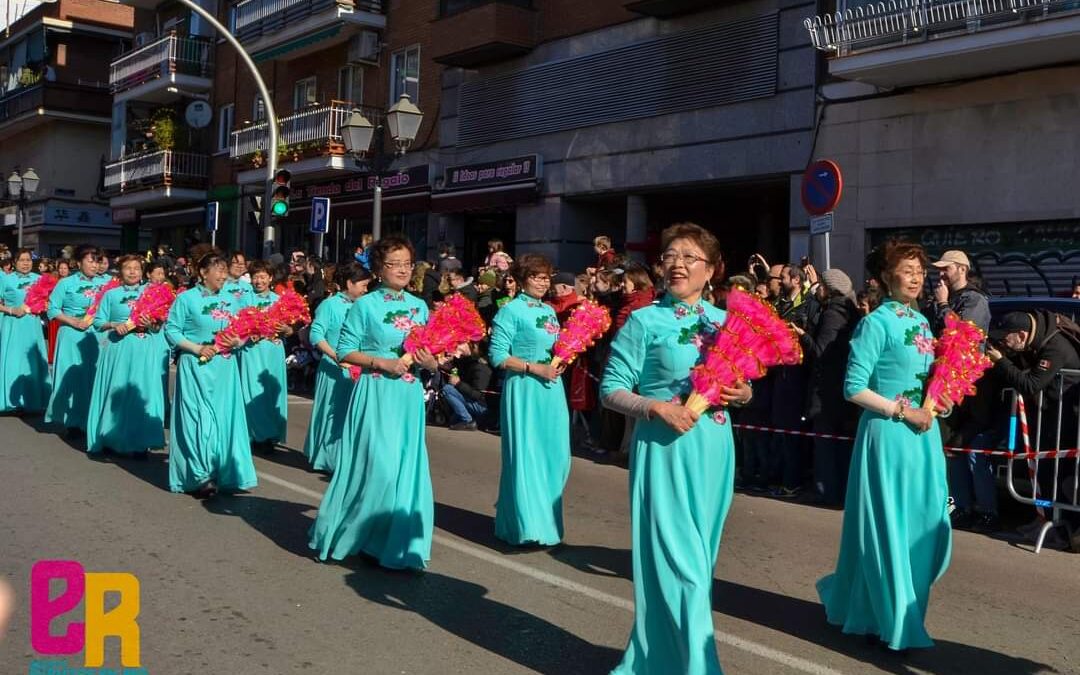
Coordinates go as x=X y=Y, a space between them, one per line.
x=333 y=391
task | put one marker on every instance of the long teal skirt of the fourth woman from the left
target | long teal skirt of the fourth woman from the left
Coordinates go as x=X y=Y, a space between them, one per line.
x=209 y=433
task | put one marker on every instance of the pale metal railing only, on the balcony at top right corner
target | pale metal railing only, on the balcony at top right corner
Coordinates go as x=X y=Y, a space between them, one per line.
x=901 y=22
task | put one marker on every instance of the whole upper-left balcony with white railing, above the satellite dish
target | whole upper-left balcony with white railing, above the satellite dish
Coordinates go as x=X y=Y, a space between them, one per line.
x=171 y=63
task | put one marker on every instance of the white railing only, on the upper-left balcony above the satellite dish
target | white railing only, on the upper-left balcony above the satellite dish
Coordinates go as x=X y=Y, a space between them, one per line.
x=171 y=55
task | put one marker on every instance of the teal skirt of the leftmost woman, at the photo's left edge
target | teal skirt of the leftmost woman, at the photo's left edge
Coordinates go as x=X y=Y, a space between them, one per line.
x=25 y=382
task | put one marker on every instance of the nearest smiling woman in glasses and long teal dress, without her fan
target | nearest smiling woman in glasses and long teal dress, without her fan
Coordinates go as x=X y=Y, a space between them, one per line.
x=682 y=472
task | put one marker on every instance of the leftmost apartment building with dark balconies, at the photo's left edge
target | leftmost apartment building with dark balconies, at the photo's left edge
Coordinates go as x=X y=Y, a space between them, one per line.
x=55 y=118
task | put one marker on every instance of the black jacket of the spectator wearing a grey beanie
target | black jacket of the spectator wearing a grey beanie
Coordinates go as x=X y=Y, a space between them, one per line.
x=826 y=348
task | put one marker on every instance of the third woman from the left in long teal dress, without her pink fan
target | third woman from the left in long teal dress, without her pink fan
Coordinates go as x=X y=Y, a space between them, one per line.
x=128 y=403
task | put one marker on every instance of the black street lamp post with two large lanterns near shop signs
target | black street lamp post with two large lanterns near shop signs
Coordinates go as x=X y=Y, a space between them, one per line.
x=403 y=123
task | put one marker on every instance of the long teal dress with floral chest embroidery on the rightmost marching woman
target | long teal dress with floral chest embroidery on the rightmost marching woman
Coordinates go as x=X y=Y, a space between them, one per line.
x=897 y=539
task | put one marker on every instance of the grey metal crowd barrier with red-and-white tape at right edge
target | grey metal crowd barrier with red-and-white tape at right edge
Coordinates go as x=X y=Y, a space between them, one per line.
x=1063 y=495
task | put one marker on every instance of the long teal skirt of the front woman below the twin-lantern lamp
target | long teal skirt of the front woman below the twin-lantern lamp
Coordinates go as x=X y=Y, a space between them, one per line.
x=380 y=501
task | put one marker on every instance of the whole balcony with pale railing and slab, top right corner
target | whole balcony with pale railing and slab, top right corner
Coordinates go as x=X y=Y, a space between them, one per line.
x=910 y=43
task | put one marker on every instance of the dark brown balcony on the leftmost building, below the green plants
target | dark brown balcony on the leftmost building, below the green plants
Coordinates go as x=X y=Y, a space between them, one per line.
x=29 y=106
